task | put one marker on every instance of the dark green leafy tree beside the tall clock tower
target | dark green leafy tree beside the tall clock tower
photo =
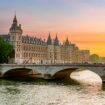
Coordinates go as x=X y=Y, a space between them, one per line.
x=5 y=50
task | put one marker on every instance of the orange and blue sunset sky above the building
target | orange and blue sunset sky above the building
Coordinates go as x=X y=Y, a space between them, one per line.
x=82 y=21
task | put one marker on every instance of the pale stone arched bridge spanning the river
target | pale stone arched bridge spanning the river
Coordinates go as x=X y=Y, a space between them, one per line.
x=49 y=71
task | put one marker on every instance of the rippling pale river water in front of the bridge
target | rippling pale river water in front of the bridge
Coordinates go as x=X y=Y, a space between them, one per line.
x=16 y=92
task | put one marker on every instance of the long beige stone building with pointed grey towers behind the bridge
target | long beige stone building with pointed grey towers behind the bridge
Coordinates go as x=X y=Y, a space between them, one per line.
x=36 y=50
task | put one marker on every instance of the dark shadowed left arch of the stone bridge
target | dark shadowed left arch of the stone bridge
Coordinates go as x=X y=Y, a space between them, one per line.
x=18 y=72
